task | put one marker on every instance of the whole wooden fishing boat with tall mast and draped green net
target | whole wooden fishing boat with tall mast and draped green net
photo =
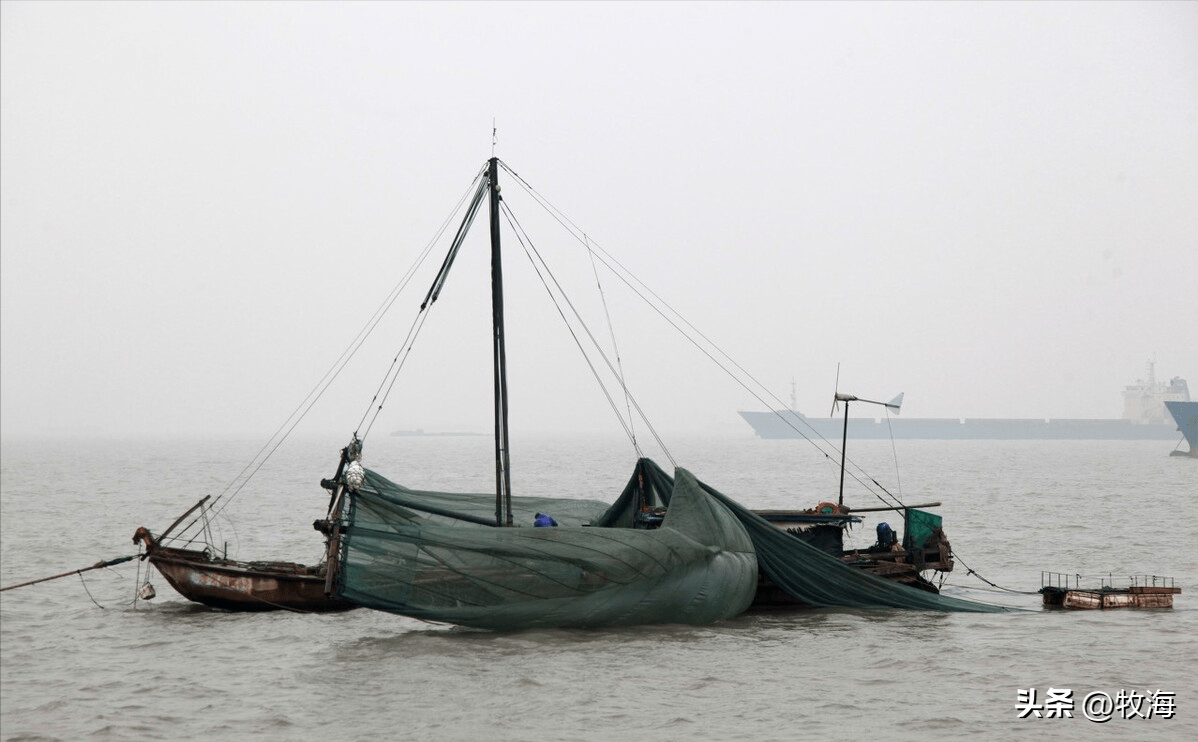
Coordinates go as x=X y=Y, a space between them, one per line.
x=668 y=548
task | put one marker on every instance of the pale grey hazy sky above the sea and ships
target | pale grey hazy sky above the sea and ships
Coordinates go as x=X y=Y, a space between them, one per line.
x=988 y=207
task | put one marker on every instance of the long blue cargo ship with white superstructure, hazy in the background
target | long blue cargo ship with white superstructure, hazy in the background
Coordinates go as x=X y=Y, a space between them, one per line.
x=1146 y=418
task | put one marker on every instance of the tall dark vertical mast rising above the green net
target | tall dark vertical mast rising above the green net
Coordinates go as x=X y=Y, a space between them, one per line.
x=503 y=460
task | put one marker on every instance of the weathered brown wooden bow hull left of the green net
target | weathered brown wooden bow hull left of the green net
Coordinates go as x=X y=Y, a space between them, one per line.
x=246 y=587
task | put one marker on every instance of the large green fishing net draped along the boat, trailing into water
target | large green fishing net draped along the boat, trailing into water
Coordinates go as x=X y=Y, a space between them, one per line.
x=668 y=551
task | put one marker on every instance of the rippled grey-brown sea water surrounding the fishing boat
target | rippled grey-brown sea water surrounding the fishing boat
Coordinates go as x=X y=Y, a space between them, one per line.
x=173 y=671
